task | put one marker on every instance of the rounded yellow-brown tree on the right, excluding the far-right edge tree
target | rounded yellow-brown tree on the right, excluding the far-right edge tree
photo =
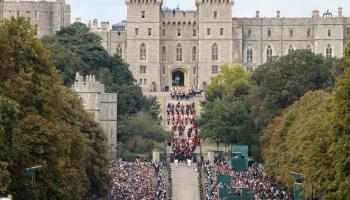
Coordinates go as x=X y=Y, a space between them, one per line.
x=297 y=141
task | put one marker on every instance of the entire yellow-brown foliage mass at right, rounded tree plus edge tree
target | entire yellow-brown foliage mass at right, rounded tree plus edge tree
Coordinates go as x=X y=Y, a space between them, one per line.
x=312 y=137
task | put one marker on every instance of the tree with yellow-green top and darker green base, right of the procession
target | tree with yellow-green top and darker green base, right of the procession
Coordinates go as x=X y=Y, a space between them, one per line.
x=225 y=118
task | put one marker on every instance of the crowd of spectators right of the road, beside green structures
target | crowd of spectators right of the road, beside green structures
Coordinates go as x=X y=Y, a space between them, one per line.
x=256 y=180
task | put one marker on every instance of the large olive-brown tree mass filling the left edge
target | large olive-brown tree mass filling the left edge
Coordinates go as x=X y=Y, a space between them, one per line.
x=43 y=123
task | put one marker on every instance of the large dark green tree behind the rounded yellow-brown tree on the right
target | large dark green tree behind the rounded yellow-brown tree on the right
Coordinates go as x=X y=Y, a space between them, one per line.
x=284 y=80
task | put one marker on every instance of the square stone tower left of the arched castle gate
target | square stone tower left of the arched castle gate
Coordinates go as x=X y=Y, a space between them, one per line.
x=143 y=41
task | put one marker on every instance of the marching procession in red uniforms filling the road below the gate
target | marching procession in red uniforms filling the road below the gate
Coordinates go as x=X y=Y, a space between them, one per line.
x=182 y=120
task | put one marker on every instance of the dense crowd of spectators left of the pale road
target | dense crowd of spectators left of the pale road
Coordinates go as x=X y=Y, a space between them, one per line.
x=132 y=181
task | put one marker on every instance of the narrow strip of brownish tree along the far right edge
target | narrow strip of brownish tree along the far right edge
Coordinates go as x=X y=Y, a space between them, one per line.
x=340 y=148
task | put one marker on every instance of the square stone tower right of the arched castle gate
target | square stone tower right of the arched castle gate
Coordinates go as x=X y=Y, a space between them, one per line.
x=215 y=37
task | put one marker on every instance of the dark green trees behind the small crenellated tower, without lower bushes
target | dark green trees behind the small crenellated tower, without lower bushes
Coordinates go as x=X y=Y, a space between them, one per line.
x=75 y=49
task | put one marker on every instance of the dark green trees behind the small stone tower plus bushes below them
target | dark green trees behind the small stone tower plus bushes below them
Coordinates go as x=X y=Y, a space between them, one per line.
x=75 y=49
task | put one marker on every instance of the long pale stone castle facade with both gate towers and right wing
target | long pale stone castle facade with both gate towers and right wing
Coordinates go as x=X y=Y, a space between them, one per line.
x=233 y=36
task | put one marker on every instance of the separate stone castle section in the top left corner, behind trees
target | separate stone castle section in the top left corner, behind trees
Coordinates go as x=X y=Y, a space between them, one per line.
x=48 y=16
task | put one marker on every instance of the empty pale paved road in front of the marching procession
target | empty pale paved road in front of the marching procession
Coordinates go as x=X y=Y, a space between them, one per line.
x=185 y=183
